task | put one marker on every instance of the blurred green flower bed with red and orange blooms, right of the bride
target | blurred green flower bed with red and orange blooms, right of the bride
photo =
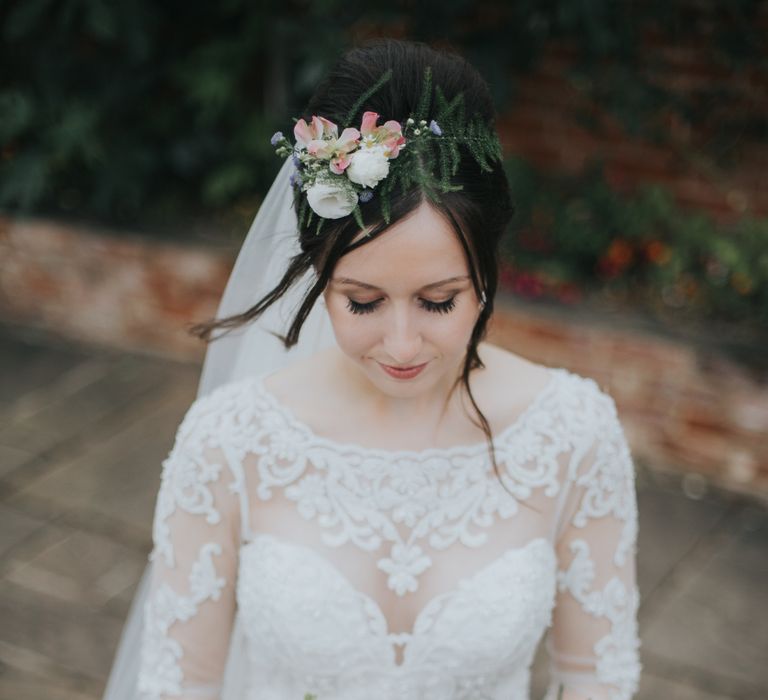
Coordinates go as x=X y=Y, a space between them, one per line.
x=575 y=236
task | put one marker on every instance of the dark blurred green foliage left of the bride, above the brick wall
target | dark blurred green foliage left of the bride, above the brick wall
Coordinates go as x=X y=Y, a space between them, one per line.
x=134 y=113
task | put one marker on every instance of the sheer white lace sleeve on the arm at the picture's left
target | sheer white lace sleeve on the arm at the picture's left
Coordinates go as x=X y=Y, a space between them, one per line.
x=190 y=607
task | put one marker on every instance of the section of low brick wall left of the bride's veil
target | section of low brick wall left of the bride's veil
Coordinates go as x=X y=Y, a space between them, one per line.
x=98 y=287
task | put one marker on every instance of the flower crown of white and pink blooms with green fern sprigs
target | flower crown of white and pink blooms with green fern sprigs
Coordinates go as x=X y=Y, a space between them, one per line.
x=335 y=172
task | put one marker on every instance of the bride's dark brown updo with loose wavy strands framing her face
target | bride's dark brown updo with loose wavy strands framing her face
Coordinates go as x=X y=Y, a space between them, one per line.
x=479 y=213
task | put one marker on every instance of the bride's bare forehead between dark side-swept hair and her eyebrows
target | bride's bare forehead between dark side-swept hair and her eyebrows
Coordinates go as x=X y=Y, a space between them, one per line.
x=415 y=251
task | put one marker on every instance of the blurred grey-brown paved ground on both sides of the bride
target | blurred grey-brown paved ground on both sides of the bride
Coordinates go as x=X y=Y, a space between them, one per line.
x=82 y=435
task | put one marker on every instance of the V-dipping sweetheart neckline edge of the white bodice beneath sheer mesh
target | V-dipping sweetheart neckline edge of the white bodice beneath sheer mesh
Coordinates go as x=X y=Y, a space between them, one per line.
x=370 y=604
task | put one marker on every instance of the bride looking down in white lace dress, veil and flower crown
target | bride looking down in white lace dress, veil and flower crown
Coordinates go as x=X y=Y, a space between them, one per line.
x=386 y=506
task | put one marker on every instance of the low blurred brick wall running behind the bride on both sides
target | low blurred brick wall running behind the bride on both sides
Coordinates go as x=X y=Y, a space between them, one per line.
x=683 y=408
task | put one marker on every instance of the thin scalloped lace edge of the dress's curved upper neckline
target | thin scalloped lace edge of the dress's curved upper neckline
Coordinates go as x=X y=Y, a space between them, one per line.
x=309 y=434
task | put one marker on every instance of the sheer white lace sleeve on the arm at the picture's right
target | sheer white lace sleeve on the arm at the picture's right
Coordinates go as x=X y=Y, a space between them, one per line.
x=593 y=645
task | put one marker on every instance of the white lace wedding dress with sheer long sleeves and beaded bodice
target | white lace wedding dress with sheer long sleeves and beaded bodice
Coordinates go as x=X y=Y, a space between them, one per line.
x=371 y=574
